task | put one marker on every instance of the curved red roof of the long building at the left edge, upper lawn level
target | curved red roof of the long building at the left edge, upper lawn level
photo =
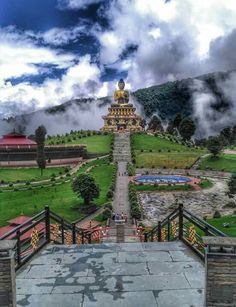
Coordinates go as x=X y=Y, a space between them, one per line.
x=16 y=139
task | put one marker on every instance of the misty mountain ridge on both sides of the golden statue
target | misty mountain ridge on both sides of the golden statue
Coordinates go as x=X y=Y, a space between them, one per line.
x=166 y=100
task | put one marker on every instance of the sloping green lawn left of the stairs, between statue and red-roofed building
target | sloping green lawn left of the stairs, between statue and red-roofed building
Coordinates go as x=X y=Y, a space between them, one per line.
x=95 y=144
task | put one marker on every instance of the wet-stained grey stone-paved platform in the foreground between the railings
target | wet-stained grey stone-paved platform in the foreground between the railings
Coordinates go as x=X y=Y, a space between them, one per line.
x=113 y=274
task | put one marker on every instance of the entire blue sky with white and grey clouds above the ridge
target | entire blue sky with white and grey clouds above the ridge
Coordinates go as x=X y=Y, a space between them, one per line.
x=55 y=50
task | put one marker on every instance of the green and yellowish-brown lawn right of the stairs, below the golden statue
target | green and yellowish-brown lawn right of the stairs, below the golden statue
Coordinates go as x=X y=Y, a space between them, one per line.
x=155 y=152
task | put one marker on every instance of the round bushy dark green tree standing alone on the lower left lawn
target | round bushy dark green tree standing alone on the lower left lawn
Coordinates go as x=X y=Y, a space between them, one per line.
x=85 y=186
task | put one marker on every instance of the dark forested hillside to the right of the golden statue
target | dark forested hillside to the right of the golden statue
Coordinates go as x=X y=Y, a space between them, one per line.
x=171 y=98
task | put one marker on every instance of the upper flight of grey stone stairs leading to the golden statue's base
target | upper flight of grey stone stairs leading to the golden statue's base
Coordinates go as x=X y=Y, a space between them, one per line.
x=121 y=150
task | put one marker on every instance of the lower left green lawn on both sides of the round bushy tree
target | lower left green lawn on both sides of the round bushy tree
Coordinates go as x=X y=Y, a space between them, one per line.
x=61 y=199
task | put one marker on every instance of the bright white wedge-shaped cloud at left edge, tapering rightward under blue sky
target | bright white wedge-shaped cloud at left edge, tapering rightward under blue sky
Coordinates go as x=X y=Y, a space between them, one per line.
x=20 y=55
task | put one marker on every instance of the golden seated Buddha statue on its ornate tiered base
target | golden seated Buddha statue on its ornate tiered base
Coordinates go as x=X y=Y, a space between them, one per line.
x=121 y=115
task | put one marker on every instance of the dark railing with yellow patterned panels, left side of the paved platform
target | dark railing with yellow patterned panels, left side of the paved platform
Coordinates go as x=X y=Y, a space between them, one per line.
x=41 y=229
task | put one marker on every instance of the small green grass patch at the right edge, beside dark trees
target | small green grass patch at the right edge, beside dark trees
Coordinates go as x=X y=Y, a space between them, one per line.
x=224 y=162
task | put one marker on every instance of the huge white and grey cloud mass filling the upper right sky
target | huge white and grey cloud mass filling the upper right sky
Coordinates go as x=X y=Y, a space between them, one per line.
x=172 y=39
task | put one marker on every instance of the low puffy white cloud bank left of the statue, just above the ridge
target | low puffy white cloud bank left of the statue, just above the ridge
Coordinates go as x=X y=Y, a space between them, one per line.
x=80 y=80
